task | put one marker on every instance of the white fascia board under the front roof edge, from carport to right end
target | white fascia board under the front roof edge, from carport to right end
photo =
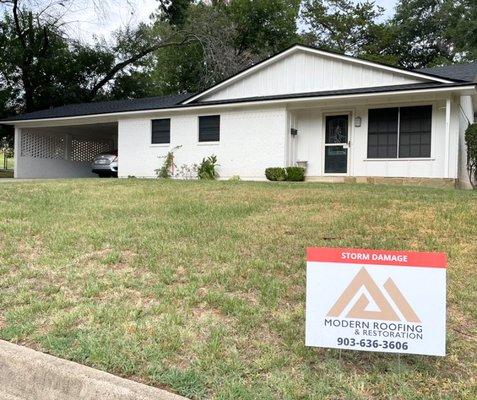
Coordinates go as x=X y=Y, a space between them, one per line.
x=82 y=119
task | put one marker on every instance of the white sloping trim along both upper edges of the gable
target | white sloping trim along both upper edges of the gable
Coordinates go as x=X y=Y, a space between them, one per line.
x=314 y=51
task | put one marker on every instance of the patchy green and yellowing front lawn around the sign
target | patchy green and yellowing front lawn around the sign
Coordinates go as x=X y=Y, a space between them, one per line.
x=199 y=287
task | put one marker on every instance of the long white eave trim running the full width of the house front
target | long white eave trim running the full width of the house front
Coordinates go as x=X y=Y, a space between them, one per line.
x=112 y=116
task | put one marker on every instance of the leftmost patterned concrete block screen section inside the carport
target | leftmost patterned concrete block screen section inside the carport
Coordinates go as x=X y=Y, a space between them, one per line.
x=40 y=145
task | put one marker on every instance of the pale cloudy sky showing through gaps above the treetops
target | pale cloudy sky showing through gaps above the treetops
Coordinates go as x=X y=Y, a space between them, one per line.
x=86 y=22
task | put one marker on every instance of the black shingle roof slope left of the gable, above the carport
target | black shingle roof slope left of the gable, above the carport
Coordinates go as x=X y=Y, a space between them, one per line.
x=104 y=107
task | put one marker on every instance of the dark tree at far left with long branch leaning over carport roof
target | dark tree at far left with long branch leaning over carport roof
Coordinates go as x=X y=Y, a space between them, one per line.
x=45 y=68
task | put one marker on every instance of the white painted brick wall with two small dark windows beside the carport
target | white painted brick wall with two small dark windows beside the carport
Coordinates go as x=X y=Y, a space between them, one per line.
x=250 y=141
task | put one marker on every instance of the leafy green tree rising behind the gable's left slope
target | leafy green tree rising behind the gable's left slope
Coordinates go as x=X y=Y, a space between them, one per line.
x=228 y=36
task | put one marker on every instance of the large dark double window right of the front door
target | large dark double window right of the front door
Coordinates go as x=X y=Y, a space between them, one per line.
x=403 y=132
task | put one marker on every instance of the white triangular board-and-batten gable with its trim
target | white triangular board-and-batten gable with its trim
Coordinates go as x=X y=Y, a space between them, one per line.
x=302 y=69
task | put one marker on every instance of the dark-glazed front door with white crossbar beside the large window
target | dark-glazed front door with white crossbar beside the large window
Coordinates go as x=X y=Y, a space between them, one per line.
x=336 y=144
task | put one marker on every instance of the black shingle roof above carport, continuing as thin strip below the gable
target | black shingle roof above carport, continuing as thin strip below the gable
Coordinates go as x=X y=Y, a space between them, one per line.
x=170 y=102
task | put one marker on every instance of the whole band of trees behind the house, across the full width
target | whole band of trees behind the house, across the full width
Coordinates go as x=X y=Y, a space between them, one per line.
x=188 y=45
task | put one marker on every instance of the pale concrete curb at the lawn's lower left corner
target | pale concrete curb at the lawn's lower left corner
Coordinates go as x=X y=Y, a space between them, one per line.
x=26 y=374
